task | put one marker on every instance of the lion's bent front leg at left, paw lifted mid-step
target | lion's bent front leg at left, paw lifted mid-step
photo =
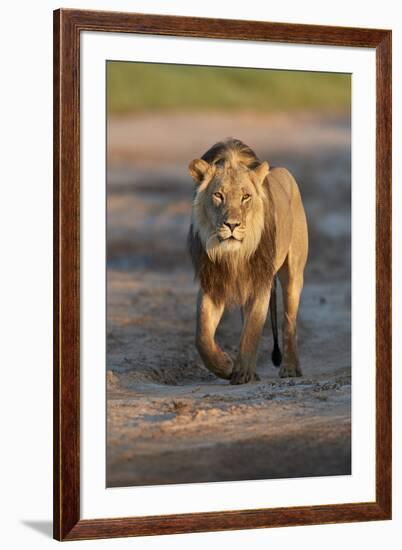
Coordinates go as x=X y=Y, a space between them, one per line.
x=208 y=316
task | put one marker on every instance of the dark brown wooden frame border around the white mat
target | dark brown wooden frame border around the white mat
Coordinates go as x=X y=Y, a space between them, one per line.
x=68 y=25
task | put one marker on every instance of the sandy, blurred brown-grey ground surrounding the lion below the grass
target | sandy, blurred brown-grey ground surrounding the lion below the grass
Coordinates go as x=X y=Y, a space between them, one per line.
x=168 y=419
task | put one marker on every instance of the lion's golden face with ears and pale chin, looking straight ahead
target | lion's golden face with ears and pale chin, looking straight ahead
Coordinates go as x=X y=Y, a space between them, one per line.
x=228 y=210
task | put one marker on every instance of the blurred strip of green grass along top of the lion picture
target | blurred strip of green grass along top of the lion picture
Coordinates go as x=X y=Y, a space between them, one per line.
x=149 y=87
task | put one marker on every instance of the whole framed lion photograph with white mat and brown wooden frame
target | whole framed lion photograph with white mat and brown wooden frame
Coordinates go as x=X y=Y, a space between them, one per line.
x=222 y=274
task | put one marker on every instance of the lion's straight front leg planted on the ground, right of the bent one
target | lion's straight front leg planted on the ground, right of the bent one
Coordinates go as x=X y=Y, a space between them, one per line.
x=254 y=315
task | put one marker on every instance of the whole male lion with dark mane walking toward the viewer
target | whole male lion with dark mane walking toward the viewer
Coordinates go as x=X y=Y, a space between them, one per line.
x=248 y=225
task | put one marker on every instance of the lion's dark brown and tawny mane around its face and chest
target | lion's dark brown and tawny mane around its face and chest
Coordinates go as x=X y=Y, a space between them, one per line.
x=234 y=278
